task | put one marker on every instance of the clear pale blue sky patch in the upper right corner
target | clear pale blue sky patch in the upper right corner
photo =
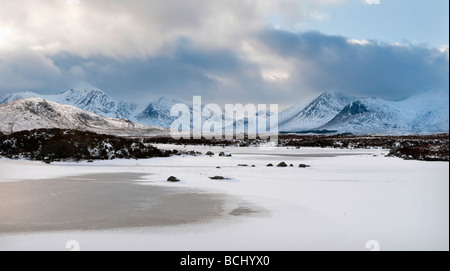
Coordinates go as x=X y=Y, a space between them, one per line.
x=412 y=21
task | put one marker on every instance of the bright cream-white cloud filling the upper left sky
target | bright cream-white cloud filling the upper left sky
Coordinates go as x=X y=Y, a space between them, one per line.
x=140 y=28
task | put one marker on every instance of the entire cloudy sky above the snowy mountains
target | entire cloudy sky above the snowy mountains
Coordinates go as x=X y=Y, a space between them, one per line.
x=226 y=50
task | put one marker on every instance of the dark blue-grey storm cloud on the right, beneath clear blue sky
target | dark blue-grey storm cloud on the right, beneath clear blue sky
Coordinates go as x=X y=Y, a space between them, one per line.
x=360 y=67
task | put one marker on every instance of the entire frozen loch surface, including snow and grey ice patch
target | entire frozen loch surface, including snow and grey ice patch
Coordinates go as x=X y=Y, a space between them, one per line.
x=344 y=200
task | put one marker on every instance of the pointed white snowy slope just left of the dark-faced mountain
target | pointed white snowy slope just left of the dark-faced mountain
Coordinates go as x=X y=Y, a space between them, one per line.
x=320 y=111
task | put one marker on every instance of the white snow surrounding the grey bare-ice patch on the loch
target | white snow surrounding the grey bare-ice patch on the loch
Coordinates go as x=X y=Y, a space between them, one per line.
x=345 y=199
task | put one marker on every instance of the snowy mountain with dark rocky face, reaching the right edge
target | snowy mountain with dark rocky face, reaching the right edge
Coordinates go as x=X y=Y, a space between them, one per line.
x=422 y=114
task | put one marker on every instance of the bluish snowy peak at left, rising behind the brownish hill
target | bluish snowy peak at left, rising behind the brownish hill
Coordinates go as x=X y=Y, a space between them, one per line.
x=84 y=97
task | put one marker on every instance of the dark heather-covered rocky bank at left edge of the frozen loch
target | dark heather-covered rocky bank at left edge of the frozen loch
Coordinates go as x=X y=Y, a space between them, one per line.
x=51 y=145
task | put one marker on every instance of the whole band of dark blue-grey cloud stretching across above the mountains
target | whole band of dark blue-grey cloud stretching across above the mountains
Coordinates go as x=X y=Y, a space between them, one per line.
x=315 y=63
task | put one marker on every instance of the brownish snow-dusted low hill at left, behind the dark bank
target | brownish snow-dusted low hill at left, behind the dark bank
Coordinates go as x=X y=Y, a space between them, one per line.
x=36 y=113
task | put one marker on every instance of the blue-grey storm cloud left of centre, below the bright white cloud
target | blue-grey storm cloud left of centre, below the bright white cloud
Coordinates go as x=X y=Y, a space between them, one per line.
x=189 y=71
